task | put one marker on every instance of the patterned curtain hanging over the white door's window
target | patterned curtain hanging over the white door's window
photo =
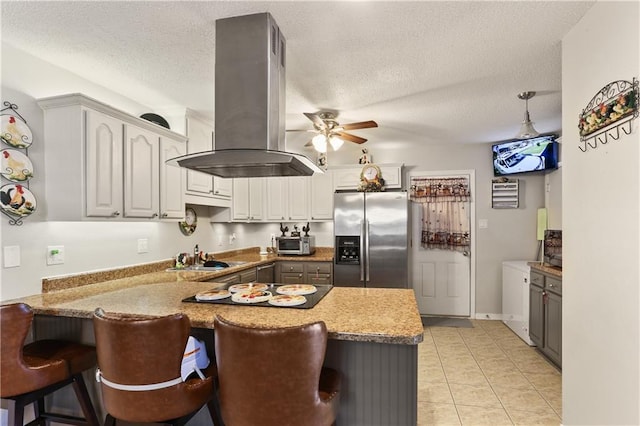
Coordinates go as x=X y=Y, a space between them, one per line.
x=445 y=207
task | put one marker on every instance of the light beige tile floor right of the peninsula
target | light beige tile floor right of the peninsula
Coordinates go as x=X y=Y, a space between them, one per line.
x=485 y=375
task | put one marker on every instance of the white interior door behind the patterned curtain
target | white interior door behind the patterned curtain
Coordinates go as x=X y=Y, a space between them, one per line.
x=441 y=278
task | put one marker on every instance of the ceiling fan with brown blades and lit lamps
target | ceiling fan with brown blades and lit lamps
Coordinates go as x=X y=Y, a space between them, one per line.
x=329 y=130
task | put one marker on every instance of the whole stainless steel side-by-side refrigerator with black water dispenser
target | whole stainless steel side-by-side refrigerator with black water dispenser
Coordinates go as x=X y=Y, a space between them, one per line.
x=371 y=239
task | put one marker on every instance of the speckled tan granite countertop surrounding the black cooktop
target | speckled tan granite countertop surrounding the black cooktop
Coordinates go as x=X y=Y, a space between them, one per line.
x=381 y=315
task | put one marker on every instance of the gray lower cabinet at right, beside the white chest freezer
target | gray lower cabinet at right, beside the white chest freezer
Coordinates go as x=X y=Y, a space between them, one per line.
x=545 y=315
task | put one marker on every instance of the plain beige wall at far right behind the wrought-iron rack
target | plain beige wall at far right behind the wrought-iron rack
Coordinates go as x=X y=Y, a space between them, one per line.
x=601 y=233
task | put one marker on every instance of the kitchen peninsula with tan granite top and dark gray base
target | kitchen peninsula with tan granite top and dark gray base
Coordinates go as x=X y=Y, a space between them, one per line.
x=373 y=332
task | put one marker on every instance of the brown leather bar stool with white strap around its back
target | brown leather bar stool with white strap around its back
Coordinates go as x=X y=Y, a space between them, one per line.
x=139 y=361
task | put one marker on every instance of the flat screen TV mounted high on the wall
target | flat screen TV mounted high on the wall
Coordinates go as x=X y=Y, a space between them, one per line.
x=525 y=155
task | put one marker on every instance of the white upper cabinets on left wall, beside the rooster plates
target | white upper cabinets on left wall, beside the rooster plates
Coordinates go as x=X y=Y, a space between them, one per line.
x=103 y=163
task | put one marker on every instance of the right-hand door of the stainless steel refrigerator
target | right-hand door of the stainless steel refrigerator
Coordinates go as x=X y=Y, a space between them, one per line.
x=385 y=251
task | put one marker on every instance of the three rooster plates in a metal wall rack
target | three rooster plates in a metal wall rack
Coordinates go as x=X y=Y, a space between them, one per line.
x=16 y=200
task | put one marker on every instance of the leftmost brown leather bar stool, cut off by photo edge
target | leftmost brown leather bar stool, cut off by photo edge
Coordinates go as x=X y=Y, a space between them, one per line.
x=29 y=373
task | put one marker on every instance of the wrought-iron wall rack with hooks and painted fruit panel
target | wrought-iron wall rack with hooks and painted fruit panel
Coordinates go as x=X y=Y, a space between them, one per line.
x=608 y=113
